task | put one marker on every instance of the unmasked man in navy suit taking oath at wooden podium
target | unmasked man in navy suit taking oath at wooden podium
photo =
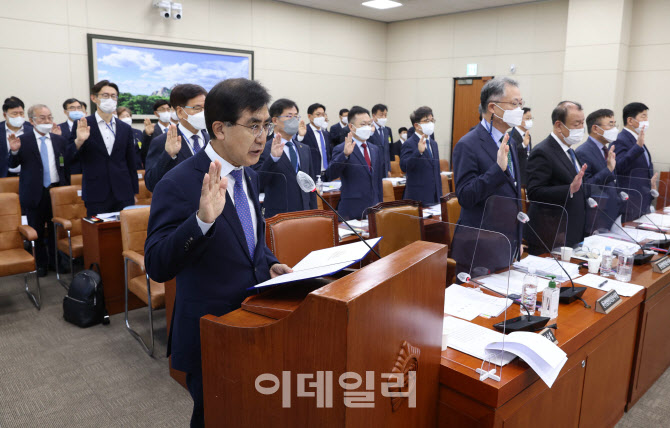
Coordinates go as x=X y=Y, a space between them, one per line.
x=206 y=227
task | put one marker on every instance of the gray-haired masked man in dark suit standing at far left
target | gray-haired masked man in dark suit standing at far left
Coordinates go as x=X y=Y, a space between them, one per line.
x=41 y=155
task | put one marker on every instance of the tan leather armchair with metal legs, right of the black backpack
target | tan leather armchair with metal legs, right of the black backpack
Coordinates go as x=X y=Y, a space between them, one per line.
x=134 y=225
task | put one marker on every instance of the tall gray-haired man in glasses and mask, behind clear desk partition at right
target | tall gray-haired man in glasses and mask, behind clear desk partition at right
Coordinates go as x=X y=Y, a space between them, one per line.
x=485 y=165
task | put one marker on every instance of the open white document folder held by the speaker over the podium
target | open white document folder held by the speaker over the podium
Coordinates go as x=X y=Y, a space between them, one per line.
x=323 y=262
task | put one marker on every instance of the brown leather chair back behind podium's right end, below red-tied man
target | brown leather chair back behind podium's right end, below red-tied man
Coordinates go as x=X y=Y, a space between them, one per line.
x=399 y=222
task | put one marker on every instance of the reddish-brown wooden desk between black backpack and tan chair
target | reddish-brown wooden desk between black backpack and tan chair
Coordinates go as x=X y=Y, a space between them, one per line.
x=102 y=245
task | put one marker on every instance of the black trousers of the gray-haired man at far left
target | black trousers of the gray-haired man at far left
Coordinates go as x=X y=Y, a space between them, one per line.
x=39 y=218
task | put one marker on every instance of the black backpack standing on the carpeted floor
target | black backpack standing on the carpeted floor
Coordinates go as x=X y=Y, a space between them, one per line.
x=84 y=304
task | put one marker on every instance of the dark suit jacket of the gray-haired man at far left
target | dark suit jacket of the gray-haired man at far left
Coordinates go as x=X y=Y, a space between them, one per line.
x=30 y=179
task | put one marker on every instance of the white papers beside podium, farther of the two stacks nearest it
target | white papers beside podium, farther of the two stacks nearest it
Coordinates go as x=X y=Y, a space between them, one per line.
x=468 y=303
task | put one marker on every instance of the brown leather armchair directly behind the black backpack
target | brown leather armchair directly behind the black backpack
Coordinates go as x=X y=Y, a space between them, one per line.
x=68 y=210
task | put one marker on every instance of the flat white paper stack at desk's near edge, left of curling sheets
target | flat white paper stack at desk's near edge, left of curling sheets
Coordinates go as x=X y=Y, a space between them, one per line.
x=472 y=339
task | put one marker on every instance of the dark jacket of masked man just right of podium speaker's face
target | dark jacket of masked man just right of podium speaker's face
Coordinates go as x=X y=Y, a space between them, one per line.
x=278 y=181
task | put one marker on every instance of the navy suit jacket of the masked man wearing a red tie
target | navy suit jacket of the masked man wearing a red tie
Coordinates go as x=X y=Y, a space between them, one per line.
x=361 y=188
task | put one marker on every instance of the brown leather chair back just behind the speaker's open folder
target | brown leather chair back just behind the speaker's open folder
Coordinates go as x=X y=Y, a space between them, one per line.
x=292 y=236
